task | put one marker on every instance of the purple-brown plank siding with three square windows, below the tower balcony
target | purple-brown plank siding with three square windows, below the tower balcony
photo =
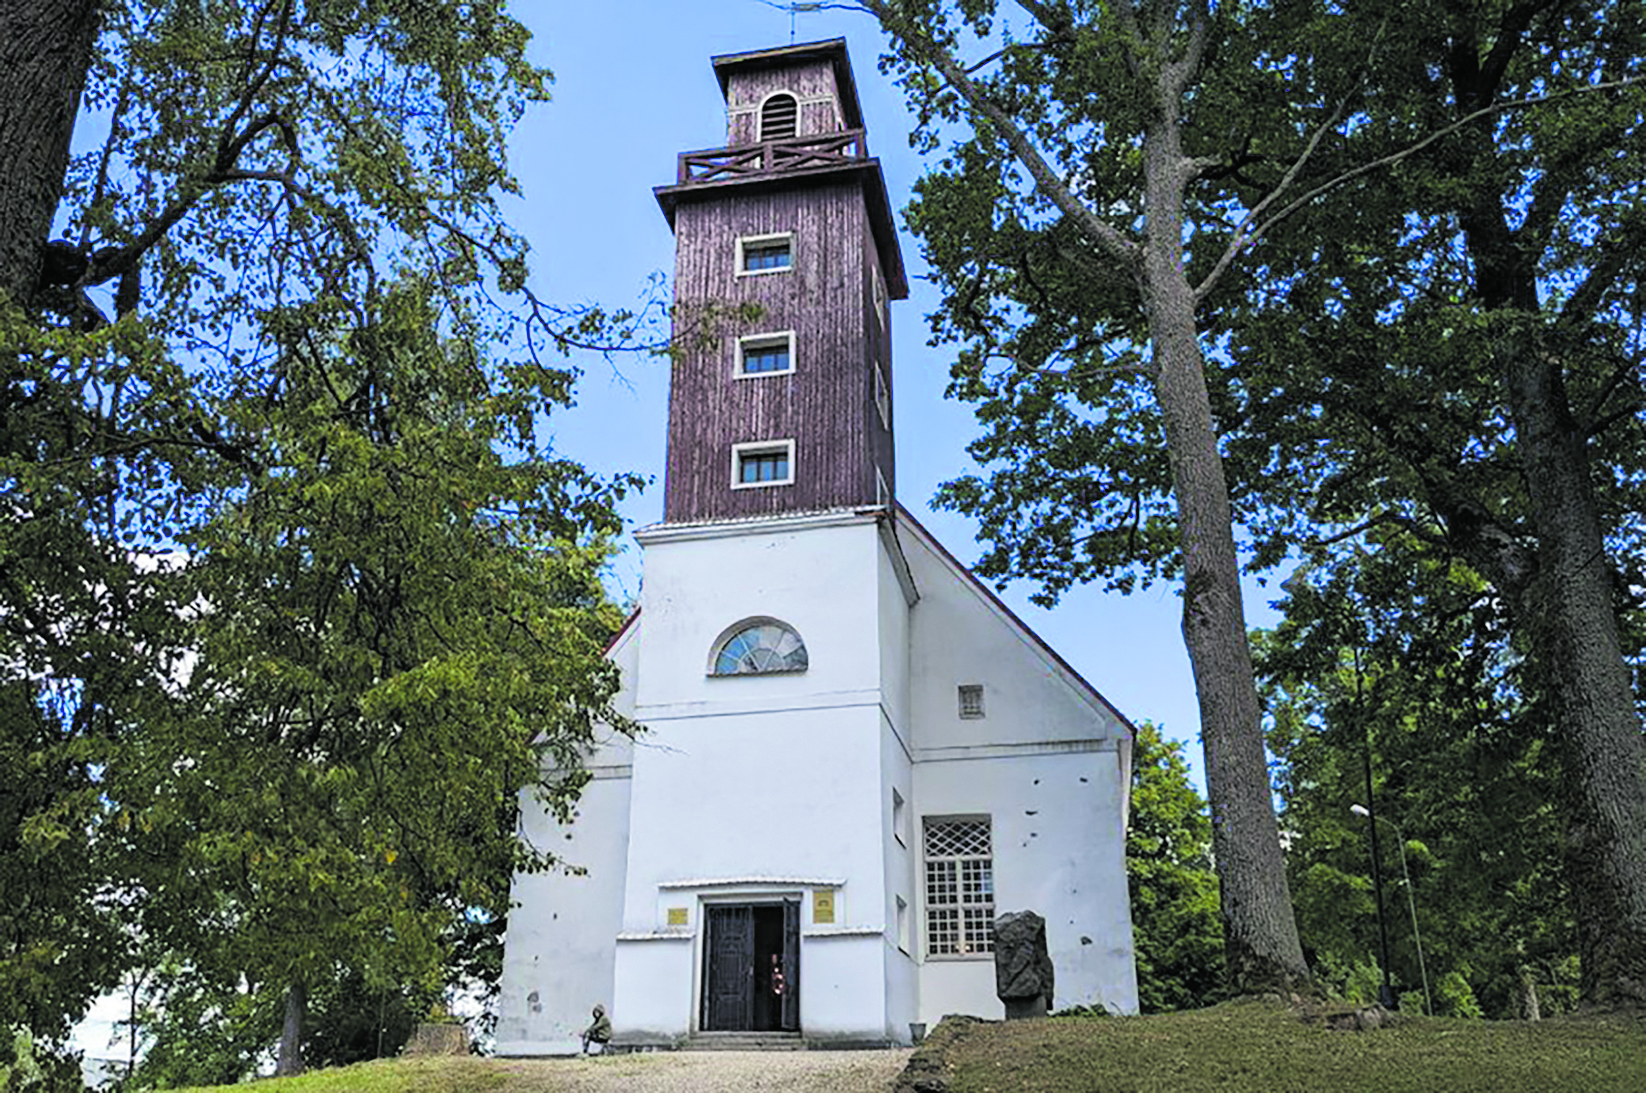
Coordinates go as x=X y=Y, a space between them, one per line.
x=827 y=404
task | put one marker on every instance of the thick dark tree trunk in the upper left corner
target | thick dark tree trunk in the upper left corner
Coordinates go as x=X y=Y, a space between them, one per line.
x=45 y=53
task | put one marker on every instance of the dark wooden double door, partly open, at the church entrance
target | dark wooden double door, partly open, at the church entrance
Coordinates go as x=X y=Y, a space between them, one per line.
x=751 y=969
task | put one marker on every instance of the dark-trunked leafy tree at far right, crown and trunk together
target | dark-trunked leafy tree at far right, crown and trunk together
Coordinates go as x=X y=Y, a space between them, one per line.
x=1459 y=355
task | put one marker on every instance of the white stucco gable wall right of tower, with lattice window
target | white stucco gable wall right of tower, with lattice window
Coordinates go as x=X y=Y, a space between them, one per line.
x=1044 y=765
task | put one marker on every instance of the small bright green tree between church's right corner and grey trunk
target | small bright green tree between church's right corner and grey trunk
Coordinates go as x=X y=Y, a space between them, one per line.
x=1174 y=891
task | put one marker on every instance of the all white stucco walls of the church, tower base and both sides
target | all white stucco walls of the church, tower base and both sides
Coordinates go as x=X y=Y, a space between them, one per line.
x=755 y=789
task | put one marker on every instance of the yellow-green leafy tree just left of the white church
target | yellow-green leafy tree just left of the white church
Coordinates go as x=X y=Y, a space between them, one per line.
x=399 y=631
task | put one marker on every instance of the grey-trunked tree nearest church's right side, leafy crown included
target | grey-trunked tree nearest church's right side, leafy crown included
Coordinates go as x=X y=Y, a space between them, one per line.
x=1117 y=182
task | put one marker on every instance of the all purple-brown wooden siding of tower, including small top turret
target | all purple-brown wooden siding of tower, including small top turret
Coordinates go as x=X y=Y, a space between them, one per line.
x=827 y=192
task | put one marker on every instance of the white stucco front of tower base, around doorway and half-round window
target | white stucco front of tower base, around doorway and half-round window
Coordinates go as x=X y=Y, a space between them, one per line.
x=755 y=788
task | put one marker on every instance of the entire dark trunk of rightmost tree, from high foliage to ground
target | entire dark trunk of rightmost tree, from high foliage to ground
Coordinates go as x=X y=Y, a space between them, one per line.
x=1568 y=612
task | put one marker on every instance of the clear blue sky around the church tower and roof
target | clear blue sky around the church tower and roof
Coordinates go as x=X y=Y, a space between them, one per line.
x=633 y=90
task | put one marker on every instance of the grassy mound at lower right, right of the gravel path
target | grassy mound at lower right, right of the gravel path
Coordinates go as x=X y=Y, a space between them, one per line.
x=1257 y=1048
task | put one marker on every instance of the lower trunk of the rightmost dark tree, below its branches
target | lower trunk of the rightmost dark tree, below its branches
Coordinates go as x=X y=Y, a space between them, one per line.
x=1576 y=636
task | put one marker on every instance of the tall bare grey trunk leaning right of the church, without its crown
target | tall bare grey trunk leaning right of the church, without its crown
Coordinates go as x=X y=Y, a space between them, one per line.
x=1258 y=926
